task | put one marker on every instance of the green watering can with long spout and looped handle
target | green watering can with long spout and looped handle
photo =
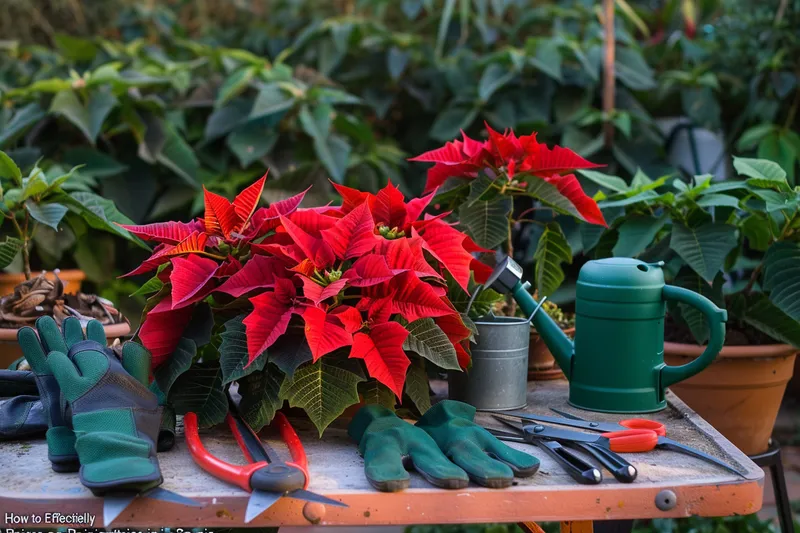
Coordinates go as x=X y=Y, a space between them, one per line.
x=616 y=362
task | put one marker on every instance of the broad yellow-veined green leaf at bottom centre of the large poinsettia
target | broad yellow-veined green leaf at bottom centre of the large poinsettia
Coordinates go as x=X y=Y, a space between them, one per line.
x=323 y=390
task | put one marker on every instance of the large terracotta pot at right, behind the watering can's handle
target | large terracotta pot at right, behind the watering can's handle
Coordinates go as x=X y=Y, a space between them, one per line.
x=740 y=393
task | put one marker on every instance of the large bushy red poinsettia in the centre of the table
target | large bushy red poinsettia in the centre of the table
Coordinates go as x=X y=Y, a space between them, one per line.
x=322 y=307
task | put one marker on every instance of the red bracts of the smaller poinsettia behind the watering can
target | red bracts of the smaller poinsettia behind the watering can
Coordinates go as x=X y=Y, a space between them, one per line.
x=506 y=155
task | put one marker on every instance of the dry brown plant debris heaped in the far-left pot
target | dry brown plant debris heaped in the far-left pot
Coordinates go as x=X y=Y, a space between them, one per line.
x=40 y=296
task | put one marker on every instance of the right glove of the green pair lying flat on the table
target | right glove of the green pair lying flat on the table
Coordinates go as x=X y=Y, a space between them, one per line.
x=485 y=459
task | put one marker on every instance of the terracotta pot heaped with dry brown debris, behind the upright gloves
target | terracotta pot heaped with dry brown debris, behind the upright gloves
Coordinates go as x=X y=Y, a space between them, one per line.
x=41 y=296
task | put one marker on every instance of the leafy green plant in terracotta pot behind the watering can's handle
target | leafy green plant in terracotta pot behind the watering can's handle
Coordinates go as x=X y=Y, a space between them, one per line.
x=737 y=243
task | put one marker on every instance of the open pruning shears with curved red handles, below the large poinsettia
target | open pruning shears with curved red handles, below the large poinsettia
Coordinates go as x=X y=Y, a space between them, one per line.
x=267 y=477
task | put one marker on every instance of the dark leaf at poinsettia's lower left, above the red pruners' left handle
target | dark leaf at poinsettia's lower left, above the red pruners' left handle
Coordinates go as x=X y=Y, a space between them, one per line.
x=199 y=390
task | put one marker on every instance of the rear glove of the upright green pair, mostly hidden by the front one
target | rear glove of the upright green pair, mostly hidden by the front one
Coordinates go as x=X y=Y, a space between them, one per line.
x=60 y=437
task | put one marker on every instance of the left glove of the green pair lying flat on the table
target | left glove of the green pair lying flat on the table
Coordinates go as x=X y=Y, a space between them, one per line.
x=390 y=445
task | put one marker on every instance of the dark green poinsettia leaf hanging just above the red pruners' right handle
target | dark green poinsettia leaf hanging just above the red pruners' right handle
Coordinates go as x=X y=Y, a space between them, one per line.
x=261 y=396
